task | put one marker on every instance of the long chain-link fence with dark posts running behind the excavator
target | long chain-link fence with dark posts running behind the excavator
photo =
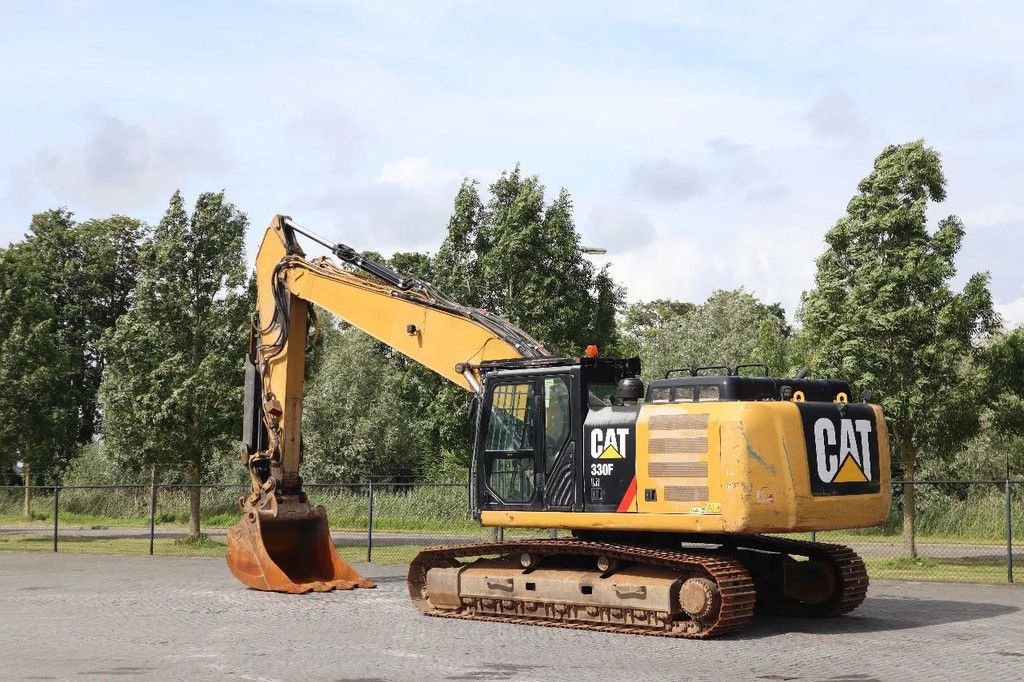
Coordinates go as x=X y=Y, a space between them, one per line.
x=964 y=531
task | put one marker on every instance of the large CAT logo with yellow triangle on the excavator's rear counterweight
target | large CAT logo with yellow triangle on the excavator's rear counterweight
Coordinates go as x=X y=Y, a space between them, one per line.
x=851 y=463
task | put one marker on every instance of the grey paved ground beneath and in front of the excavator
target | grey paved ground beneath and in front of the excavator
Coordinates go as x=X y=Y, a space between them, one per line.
x=91 y=617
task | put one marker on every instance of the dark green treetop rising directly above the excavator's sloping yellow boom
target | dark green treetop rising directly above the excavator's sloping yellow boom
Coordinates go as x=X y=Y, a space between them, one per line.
x=520 y=258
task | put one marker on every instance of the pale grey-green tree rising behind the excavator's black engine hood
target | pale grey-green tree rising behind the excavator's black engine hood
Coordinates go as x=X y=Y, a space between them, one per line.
x=731 y=328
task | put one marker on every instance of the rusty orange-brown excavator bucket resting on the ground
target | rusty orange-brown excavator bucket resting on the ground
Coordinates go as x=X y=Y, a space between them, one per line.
x=291 y=555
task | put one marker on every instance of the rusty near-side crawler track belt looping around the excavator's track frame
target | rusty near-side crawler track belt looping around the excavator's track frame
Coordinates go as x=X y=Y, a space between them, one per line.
x=735 y=584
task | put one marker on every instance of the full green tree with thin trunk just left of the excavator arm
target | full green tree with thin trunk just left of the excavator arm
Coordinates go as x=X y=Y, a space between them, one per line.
x=173 y=389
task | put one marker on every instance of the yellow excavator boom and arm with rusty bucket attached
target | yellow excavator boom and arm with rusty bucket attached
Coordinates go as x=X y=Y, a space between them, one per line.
x=282 y=544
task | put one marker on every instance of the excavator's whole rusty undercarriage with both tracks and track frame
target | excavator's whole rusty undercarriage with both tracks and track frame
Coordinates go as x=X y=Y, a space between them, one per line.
x=651 y=584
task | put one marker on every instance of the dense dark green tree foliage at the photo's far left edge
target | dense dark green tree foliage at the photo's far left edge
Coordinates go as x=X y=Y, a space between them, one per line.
x=61 y=289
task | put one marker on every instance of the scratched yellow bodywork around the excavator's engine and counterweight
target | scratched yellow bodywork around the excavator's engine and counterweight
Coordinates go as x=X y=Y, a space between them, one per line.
x=758 y=480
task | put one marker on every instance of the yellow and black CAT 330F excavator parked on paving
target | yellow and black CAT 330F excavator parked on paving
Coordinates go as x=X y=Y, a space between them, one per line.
x=670 y=492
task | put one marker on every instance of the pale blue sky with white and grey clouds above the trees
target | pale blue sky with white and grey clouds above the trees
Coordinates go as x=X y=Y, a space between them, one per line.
x=707 y=146
